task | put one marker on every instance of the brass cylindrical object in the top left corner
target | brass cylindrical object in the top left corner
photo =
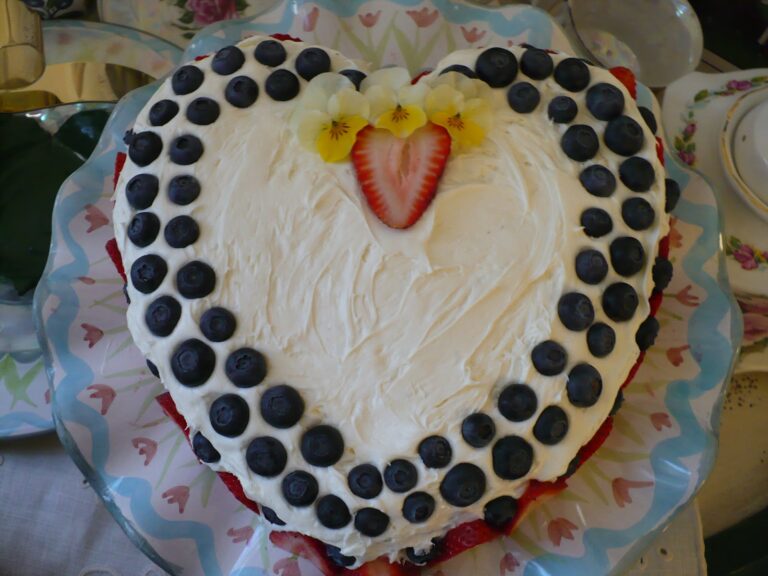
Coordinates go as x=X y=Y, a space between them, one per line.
x=22 y=59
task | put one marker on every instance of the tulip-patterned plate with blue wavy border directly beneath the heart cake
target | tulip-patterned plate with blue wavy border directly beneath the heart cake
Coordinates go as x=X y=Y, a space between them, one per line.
x=184 y=519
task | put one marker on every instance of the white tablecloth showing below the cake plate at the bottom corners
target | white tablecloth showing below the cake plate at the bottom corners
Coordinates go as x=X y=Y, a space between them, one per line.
x=52 y=523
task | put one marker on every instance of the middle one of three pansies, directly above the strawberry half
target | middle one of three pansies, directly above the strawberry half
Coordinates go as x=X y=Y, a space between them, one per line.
x=396 y=105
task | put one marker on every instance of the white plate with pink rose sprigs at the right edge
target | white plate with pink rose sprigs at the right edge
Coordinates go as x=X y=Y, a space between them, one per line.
x=694 y=113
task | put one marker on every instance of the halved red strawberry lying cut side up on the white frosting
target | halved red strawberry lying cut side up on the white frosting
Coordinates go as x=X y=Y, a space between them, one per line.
x=399 y=176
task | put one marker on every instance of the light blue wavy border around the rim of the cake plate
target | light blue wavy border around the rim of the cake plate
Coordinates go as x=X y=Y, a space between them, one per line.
x=716 y=366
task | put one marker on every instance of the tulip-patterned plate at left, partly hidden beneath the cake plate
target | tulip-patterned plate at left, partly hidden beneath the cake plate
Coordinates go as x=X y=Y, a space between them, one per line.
x=24 y=400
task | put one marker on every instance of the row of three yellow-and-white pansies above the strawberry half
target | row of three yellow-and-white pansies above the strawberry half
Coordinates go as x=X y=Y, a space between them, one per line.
x=332 y=111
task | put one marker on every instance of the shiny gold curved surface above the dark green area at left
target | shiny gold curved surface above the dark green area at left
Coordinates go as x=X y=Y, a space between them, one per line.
x=74 y=82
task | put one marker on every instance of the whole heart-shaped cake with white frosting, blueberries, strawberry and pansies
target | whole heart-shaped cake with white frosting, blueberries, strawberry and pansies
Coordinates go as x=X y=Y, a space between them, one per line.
x=386 y=306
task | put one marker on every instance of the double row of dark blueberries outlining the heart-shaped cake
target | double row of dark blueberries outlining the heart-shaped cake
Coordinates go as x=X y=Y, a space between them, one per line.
x=282 y=406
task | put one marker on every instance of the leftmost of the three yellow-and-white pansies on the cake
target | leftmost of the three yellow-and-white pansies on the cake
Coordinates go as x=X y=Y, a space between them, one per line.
x=330 y=115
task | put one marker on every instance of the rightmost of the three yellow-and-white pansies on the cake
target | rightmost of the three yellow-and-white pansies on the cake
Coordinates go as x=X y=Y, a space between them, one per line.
x=460 y=105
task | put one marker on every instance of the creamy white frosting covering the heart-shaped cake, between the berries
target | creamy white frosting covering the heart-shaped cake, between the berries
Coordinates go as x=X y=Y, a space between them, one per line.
x=389 y=335
